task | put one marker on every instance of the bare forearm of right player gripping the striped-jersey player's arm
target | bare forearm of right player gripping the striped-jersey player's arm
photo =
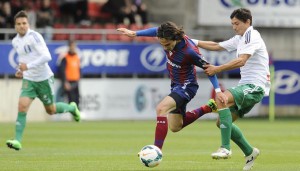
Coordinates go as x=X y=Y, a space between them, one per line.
x=234 y=64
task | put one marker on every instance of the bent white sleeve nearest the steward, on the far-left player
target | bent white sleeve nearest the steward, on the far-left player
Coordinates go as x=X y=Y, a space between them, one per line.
x=39 y=45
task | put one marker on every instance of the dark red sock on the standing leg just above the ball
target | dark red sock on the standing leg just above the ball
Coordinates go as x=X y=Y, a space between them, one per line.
x=161 y=131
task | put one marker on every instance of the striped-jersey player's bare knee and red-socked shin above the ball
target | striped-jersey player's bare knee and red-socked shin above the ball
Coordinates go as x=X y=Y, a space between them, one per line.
x=163 y=108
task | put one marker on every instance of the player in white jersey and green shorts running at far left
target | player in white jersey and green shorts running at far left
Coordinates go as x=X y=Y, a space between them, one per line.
x=37 y=77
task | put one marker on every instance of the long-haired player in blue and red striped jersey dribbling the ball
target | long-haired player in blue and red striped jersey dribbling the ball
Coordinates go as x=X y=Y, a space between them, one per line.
x=182 y=57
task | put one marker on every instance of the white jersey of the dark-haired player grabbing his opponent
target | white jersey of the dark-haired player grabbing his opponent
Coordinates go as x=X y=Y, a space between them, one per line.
x=256 y=70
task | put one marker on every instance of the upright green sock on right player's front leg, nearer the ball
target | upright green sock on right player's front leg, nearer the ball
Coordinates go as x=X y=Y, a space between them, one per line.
x=225 y=126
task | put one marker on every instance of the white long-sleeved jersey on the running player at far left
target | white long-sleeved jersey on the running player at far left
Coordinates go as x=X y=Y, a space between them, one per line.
x=33 y=51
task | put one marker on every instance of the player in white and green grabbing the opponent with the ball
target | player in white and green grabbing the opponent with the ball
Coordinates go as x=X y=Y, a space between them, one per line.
x=253 y=61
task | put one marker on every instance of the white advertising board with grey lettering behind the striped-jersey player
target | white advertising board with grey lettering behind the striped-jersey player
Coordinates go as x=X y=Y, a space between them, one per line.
x=134 y=99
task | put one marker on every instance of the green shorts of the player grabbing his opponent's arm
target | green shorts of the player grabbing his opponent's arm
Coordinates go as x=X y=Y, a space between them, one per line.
x=245 y=97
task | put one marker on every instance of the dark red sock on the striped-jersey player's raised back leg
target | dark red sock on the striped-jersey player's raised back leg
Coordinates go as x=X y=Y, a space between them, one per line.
x=191 y=116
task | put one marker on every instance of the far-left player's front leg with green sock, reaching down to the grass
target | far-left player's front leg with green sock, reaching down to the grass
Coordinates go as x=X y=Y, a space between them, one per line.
x=26 y=97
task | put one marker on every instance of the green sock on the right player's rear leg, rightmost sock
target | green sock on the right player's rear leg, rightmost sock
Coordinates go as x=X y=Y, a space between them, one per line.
x=238 y=137
